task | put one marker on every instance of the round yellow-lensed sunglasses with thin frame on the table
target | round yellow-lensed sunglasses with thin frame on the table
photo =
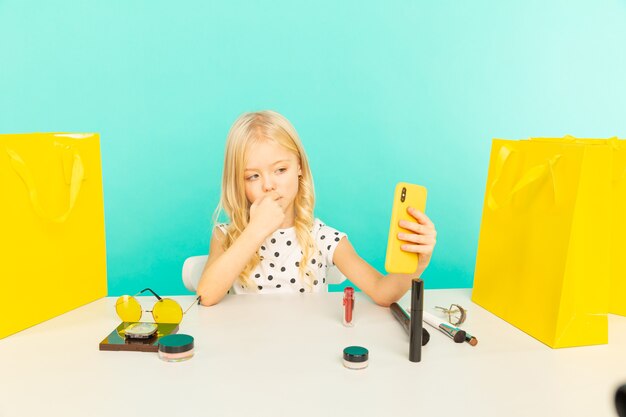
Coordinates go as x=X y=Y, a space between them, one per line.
x=165 y=310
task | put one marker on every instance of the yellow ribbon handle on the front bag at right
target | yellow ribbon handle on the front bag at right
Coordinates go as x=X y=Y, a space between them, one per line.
x=533 y=175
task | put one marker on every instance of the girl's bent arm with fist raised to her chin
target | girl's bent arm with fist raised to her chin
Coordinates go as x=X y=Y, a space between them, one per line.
x=223 y=267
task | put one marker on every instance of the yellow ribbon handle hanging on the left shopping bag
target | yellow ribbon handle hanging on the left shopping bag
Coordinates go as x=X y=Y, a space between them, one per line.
x=77 y=177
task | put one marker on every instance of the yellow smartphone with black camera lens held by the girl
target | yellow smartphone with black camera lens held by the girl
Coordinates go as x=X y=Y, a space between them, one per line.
x=406 y=195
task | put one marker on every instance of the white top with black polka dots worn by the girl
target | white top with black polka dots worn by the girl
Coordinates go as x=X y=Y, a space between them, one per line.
x=278 y=271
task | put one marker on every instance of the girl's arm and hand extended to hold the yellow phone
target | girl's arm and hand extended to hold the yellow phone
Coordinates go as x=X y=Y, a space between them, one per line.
x=384 y=290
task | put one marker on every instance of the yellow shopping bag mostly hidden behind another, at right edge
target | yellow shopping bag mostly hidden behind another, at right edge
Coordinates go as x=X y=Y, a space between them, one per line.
x=617 y=226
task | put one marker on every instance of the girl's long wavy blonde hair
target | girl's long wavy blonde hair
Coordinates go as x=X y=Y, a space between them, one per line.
x=248 y=129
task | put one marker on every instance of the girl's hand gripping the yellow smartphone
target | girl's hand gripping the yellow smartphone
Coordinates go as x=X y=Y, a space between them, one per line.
x=422 y=240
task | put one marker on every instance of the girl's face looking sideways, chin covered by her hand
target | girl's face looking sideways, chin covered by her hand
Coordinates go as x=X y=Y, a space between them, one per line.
x=270 y=167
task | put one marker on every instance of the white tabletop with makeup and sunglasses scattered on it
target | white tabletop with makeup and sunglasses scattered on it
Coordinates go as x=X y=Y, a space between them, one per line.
x=274 y=355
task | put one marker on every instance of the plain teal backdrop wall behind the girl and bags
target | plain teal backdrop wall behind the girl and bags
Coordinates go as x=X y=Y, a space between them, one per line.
x=379 y=92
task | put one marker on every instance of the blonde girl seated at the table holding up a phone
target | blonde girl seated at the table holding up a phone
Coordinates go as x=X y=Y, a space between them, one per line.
x=273 y=242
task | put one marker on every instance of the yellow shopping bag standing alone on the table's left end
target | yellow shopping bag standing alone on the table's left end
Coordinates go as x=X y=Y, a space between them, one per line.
x=52 y=223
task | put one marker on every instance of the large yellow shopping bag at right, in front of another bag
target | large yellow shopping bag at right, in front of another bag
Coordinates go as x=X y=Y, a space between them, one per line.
x=544 y=245
